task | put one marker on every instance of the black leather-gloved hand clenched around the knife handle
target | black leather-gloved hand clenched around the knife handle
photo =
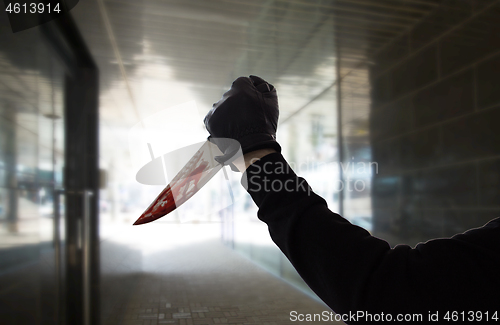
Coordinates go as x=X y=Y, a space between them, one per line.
x=248 y=113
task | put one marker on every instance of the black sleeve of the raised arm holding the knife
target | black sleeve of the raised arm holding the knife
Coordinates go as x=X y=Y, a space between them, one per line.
x=352 y=271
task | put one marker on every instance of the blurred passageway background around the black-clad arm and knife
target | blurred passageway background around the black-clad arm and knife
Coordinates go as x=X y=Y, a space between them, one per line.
x=388 y=108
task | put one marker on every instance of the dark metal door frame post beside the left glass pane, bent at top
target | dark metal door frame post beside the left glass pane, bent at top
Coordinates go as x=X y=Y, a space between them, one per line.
x=80 y=282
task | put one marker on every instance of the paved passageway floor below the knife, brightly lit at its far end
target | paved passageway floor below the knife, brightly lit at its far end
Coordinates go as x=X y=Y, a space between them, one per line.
x=192 y=283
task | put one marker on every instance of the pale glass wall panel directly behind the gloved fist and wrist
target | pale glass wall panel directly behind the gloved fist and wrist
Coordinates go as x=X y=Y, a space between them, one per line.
x=304 y=77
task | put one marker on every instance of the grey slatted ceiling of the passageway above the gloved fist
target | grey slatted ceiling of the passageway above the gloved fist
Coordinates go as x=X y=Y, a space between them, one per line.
x=200 y=43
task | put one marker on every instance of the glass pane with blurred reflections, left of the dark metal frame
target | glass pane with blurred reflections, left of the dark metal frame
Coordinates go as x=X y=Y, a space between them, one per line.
x=30 y=88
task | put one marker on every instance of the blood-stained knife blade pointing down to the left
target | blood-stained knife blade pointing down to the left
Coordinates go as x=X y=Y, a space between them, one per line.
x=190 y=179
